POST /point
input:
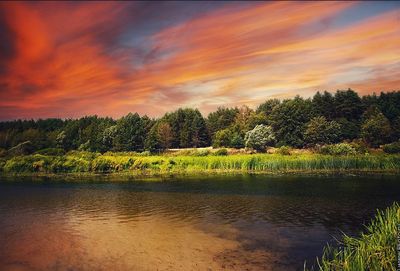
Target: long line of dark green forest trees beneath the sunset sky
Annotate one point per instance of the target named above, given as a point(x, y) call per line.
point(325, 118)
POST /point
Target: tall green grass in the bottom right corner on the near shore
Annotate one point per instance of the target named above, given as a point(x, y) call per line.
point(373, 250)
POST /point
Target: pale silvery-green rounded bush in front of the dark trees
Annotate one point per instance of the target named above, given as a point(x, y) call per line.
point(260, 138)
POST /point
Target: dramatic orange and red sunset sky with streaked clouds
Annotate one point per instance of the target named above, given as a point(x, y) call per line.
point(71, 59)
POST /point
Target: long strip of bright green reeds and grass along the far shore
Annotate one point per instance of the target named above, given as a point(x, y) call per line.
point(86, 162)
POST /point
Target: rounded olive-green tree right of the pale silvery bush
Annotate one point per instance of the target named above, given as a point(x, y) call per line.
point(321, 131)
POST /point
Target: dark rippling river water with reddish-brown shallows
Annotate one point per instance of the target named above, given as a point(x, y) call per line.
point(194, 223)
